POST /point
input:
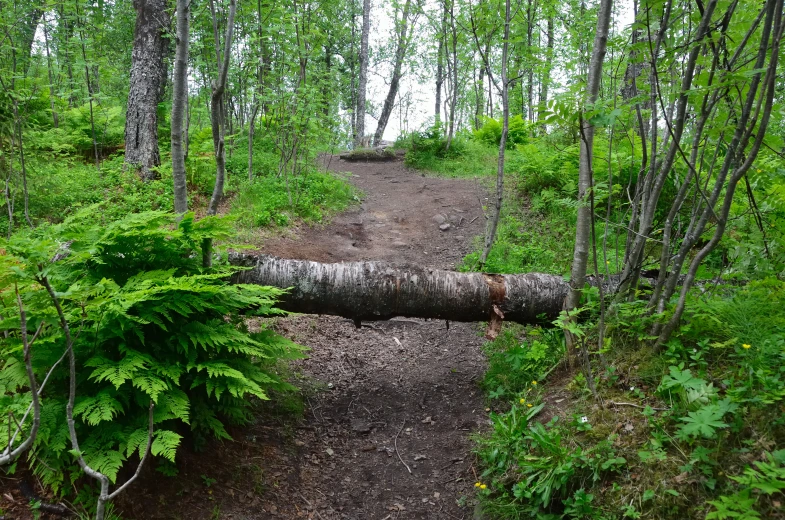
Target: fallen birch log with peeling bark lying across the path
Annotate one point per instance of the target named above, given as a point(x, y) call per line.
point(377, 291)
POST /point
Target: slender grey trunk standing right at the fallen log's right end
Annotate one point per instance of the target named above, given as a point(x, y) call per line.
point(583, 226)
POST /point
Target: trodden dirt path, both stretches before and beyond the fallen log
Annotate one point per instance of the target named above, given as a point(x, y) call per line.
point(407, 379)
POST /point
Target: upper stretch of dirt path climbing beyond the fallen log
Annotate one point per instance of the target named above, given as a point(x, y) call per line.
point(399, 220)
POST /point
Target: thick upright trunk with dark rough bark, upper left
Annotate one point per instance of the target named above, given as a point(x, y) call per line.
point(147, 76)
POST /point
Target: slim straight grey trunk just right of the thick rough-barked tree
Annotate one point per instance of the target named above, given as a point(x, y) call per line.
point(179, 98)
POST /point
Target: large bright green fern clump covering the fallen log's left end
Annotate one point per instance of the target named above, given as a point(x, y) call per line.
point(149, 325)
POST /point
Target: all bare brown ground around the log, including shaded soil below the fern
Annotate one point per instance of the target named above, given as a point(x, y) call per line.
point(389, 408)
